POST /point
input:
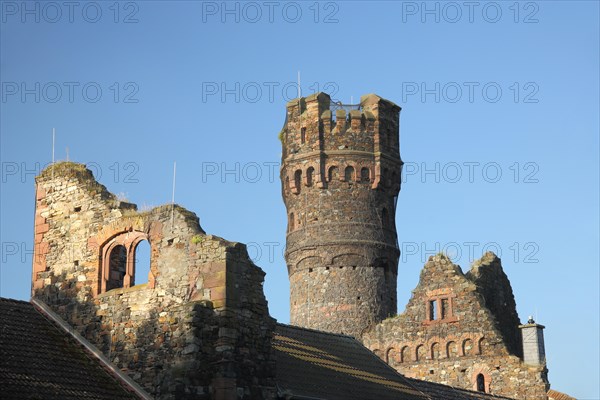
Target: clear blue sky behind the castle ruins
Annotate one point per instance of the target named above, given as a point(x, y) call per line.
point(499, 130)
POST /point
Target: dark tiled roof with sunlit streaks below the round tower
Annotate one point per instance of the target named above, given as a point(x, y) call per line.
point(319, 365)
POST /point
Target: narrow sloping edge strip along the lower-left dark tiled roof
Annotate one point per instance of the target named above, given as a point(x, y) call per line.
point(43, 309)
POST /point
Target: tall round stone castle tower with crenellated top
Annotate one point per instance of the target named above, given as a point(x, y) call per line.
point(340, 178)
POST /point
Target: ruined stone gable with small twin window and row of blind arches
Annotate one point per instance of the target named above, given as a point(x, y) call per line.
point(448, 335)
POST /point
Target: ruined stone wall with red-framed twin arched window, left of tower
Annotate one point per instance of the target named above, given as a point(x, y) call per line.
point(198, 329)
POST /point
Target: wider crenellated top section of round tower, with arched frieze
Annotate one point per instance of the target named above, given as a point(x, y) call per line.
point(325, 142)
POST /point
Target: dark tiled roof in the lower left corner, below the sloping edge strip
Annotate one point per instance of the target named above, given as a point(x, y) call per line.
point(38, 361)
